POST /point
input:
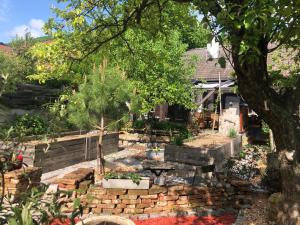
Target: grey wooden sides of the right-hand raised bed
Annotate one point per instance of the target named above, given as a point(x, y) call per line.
point(203, 156)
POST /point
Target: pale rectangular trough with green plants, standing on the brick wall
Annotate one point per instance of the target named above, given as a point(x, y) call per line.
point(125, 180)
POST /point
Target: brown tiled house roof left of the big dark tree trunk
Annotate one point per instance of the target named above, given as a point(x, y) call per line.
point(209, 69)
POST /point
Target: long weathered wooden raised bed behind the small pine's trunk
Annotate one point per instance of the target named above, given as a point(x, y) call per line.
point(67, 151)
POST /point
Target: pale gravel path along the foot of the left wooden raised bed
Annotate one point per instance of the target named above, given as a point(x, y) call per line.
point(48, 177)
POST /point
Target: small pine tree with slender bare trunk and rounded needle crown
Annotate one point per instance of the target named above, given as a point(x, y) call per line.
point(105, 93)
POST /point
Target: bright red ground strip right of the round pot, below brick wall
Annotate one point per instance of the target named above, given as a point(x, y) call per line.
point(189, 220)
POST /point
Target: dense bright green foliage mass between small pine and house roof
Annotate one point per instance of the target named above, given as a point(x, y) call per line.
point(156, 68)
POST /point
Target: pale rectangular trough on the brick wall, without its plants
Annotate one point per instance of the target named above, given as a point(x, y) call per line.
point(126, 183)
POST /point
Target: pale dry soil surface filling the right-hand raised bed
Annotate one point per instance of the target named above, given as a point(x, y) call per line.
point(208, 141)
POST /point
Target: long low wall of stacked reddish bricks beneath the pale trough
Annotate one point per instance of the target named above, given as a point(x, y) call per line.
point(158, 199)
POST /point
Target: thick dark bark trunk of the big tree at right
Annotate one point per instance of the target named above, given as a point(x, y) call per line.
point(280, 112)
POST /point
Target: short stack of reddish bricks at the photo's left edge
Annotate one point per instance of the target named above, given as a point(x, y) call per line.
point(21, 180)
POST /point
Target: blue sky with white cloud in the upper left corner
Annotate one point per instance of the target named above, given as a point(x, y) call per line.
point(17, 16)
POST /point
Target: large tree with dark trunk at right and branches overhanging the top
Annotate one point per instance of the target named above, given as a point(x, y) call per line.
point(250, 30)
